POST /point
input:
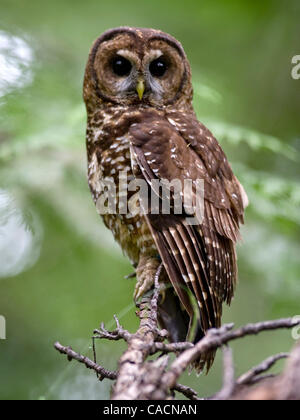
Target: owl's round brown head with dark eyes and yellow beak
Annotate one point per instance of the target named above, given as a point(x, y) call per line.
point(137, 66)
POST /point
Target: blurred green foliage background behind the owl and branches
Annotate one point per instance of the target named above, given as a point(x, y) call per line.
point(60, 272)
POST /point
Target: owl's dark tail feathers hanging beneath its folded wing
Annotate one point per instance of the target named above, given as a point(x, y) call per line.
point(176, 321)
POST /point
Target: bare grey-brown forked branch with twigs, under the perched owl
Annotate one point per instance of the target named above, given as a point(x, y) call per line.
point(138, 377)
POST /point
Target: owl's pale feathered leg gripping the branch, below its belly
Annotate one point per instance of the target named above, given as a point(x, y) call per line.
point(145, 274)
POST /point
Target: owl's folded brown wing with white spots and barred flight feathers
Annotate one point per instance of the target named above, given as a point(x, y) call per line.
point(200, 258)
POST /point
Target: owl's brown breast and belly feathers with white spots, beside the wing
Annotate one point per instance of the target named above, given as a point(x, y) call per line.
point(108, 150)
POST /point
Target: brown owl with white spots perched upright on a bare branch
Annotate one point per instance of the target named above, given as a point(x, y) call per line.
point(140, 122)
